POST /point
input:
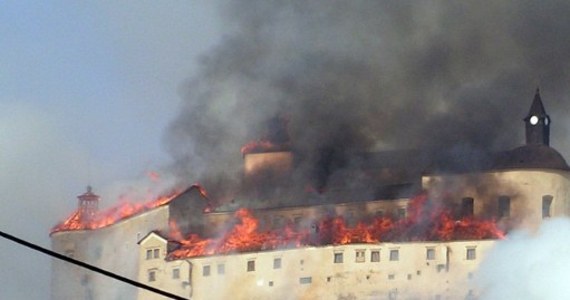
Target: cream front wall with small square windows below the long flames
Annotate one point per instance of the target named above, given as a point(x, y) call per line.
point(419, 270)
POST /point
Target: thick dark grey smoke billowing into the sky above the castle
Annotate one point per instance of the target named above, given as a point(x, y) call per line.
point(372, 75)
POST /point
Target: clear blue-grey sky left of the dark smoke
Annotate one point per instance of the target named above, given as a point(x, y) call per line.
point(88, 88)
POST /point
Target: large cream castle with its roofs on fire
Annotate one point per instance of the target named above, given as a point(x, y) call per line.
point(388, 225)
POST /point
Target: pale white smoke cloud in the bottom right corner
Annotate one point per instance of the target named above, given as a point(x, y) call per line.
point(529, 266)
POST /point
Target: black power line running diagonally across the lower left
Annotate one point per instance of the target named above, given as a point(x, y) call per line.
point(89, 267)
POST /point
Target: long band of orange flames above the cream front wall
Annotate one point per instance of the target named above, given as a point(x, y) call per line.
point(423, 223)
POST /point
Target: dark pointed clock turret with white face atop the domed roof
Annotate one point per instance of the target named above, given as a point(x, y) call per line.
point(537, 123)
